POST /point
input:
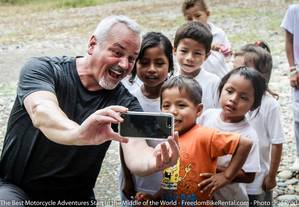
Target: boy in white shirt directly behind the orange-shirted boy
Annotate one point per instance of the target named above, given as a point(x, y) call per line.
point(192, 44)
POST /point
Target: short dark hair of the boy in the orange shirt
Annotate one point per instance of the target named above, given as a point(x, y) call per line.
point(184, 83)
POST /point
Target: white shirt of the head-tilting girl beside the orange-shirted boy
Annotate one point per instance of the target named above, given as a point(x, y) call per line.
point(234, 191)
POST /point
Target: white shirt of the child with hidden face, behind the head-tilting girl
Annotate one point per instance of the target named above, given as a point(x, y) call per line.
point(267, 124)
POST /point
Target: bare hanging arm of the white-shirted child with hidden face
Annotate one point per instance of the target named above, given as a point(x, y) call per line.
point(270, 179)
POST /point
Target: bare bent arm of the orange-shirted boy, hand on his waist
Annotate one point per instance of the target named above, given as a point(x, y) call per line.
point(216, 181)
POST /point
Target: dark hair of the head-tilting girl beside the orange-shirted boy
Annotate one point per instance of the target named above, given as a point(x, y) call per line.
point(257, 80)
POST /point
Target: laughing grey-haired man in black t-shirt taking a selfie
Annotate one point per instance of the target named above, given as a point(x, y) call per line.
point(60, 126)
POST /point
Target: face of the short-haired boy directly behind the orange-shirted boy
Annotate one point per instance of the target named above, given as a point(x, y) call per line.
point(190, 55)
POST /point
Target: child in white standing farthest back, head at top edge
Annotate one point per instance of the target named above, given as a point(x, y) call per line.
point(197, 10)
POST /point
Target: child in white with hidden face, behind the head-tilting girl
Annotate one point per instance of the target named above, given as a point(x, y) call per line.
point(266, 123)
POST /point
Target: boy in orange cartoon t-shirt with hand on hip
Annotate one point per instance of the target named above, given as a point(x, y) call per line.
point(199, 148)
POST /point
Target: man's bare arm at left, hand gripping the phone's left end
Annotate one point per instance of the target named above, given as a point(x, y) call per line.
point(46, 115)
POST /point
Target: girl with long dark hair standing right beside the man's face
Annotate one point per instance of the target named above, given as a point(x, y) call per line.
point(153, 66)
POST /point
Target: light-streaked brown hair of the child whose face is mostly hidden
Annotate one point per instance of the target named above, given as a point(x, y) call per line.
point(257, 55)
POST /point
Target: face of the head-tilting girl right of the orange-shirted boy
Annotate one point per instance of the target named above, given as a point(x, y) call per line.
point(237, 98)
